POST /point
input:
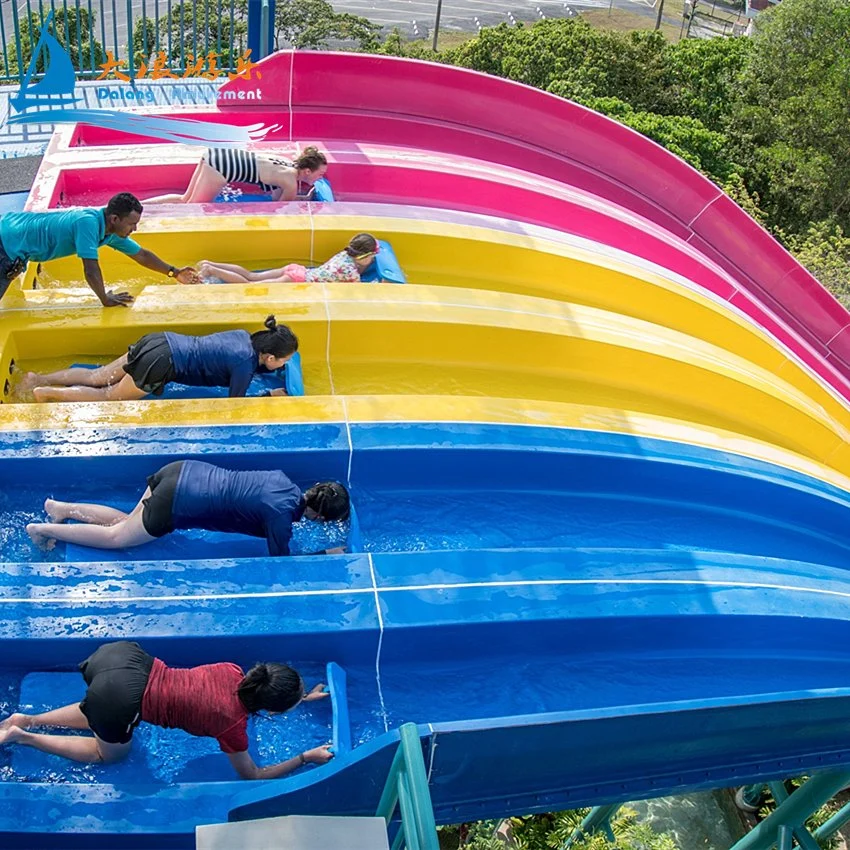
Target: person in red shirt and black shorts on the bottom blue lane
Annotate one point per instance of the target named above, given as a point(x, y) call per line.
point(127, 686)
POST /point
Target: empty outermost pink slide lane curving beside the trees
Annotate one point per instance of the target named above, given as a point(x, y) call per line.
point(346, 96)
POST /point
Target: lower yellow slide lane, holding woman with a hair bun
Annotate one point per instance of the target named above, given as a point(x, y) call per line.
point(402, 340)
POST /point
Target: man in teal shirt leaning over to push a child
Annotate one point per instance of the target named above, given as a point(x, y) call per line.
point(39, 237)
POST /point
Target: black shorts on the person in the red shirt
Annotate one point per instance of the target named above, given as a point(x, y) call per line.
point(116, 675)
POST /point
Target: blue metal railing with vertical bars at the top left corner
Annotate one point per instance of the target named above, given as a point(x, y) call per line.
point(95, 33)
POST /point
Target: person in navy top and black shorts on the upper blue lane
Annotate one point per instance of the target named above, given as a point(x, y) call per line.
point(193, 494)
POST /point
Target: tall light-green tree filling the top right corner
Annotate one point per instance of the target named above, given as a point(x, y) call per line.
point(792, 113)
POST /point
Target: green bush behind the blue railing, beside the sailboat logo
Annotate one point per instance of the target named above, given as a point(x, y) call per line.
point(73, 28)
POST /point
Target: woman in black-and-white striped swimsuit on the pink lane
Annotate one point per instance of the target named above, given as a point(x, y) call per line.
point(221, 166)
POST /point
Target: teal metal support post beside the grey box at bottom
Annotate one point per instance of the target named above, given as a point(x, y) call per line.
point(407, 789)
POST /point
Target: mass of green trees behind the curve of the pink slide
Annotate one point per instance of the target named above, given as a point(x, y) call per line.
point(767, 117)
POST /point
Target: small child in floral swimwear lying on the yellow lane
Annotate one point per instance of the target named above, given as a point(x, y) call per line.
point(344, 267)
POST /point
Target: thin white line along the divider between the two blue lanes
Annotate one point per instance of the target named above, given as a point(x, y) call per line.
point(282, 594)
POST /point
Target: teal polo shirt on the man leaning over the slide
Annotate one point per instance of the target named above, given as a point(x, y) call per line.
point(44, 236)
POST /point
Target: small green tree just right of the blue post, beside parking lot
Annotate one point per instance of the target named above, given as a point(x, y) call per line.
point(313, 23)
